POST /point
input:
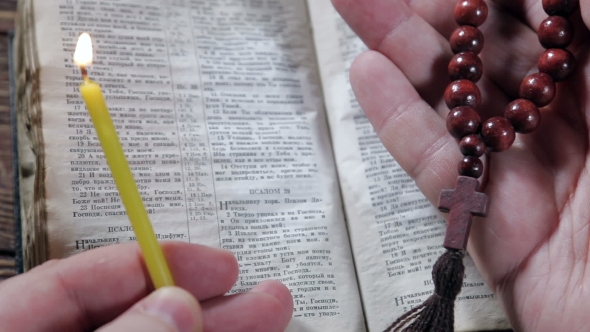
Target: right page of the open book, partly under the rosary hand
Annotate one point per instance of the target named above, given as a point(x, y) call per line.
point(396, 233)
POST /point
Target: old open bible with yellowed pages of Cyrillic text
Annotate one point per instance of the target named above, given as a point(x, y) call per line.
point(242, 132)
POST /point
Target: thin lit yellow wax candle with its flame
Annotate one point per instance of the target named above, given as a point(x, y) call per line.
point(152, 252)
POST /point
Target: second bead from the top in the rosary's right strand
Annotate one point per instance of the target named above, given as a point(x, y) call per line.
point(555, 32)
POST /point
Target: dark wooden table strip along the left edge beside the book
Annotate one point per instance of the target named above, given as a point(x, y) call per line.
point(7, 267)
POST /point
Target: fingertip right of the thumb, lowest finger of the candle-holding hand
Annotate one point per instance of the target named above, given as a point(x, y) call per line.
point(268, 307)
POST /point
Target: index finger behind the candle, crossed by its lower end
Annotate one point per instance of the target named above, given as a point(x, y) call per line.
point(92, 288)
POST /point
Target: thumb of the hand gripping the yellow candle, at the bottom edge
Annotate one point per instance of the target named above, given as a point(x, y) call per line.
point(168, 309)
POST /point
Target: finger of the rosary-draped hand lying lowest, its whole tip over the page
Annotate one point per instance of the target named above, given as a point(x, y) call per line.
point(415, 136)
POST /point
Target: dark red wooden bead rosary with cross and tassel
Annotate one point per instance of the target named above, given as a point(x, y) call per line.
point(495, 134)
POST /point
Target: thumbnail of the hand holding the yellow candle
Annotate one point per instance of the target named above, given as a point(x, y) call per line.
point(174, 306)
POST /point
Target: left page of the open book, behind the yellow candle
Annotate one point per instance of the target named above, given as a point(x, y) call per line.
point(219, 108)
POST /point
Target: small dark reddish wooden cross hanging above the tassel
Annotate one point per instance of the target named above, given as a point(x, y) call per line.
point(463, 202)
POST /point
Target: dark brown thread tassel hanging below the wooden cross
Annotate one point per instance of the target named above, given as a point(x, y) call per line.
point(436, 314)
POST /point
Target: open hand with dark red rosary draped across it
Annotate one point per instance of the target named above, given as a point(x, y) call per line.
point(533, 248)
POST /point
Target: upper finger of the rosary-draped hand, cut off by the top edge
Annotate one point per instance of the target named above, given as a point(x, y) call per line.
point(420, 52)
